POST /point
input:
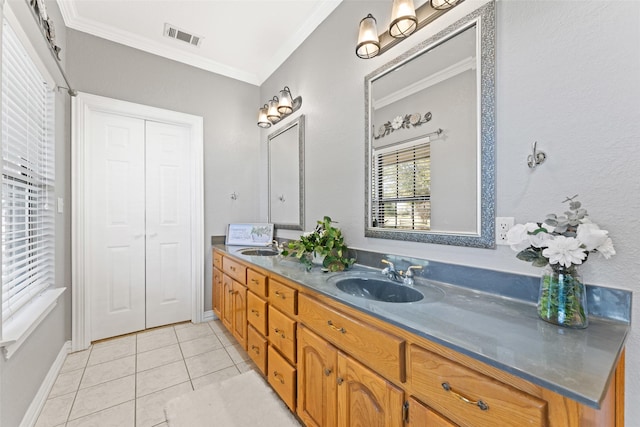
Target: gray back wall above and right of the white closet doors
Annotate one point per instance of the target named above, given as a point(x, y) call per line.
point(229, 108)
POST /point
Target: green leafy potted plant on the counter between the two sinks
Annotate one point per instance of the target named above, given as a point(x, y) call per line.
point(326, 242)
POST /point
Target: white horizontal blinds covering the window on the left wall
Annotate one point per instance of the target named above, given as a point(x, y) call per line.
point(27, 178)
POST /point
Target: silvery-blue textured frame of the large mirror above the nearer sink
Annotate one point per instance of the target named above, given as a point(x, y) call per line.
point(484, 18)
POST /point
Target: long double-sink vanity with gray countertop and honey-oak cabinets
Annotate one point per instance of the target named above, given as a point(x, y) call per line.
point(455, 357)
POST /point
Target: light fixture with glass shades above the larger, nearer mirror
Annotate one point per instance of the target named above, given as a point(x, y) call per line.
point(405, 20)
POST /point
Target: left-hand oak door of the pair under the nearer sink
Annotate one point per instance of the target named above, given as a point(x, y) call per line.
point(317, 393)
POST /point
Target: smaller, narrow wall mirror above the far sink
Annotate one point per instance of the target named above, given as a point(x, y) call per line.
point(286, 176)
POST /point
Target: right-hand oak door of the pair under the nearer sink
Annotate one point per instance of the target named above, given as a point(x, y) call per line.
point(365, 399)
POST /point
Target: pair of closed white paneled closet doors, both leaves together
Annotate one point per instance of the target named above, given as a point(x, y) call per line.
point(139, 217)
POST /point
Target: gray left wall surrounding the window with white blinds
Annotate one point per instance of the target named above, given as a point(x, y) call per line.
point(22, 375)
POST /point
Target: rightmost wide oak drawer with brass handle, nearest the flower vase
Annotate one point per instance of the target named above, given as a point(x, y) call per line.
point(468, 397)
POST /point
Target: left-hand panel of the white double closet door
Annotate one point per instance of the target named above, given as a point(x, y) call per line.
point(115, 267)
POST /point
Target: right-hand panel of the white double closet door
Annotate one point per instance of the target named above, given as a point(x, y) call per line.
point(168, 224)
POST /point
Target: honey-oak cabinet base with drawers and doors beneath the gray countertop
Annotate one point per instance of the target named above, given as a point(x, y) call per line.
point(337, 366)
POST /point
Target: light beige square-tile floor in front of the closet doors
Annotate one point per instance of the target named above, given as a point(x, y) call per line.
point(127, 381)
